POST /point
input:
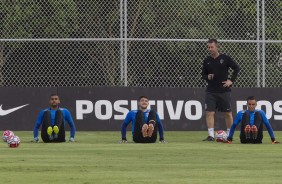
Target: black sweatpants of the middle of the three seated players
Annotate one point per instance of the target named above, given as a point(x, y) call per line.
point(140, 121)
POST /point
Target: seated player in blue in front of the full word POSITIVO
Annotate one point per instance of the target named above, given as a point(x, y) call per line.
point(145, 124)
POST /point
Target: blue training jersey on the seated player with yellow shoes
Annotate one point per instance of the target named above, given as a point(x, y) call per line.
point(66, 115)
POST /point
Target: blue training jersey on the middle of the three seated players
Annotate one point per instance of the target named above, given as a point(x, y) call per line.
point(131, 118)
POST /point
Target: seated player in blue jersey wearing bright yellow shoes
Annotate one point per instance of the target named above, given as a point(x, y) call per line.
point(53, 121)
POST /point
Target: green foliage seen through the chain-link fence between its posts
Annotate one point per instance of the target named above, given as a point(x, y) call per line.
point(167, 19)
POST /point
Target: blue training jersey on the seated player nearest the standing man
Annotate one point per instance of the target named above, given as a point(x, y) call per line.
point(239, 117)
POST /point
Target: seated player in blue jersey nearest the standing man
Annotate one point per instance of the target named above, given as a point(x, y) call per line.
point(252, 121)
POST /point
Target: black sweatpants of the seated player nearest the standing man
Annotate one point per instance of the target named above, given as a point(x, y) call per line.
point(259, 124)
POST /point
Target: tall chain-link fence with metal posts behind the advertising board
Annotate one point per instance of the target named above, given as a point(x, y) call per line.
point(156, 43)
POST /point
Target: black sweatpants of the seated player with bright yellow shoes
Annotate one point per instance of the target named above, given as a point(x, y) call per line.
point(59, 121)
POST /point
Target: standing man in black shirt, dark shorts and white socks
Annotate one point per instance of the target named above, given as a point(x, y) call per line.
point(218, 92)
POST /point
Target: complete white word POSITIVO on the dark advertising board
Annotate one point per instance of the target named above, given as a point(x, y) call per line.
point(105, 109)
